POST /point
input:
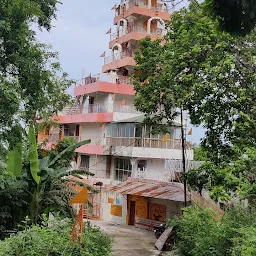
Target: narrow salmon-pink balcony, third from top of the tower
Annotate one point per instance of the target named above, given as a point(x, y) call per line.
point(118, 60)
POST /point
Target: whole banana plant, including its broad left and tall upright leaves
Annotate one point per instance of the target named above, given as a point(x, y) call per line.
point(45, 184)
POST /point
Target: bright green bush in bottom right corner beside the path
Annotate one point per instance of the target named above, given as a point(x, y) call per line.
point(201, 234)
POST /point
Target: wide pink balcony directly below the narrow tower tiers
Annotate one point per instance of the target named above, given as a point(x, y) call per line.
point(104, 83)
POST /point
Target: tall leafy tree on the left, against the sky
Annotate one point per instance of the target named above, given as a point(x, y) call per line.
point(32, 82)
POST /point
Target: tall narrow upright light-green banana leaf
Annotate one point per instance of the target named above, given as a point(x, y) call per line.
point(34, 163)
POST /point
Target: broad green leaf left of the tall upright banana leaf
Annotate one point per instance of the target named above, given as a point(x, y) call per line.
point(14, 160)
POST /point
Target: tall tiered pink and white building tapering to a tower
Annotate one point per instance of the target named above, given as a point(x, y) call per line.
point(121, 146)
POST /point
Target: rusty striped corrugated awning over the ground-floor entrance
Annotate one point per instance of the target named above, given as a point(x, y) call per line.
point(151, 188)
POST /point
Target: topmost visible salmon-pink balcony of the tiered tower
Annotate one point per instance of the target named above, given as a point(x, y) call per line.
point(140, 8)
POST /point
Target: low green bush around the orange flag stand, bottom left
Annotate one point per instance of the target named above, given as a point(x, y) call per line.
point(55, 241)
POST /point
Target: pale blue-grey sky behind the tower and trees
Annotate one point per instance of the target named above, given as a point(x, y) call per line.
point(79, 36)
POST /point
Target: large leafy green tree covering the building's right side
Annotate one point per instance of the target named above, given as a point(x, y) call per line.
point(203, 70)
